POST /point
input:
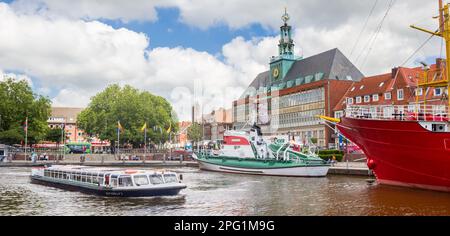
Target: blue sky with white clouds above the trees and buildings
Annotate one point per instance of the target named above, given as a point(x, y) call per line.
point(196, 51)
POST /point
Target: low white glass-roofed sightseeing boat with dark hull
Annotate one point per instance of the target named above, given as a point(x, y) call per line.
point(110, 182)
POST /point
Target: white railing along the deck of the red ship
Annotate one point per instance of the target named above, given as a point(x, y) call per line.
point(400, 112)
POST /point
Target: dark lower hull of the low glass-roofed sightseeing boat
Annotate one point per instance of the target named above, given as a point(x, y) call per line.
point(165, 191)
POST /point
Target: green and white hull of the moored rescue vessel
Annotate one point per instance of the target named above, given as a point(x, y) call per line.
point(293, 171)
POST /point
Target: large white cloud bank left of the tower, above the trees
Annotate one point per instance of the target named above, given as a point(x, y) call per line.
point(77, 59)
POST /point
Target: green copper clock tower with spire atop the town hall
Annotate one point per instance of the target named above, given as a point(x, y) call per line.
point(280, 65)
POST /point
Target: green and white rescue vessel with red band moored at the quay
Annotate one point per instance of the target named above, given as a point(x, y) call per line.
point(248, 153)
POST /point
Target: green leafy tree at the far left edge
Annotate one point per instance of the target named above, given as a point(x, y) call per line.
point(18, 102)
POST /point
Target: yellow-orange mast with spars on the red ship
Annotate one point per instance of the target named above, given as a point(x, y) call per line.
point(444, 32)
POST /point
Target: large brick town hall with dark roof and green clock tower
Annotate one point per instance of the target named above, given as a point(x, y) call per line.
point(287, 98)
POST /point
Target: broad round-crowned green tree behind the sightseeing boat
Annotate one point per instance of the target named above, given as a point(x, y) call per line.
point(132, 108)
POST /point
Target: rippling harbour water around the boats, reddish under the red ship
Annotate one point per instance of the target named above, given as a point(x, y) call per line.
point(210, 193)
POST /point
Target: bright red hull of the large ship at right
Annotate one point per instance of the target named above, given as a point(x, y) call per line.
point(402, 153)
